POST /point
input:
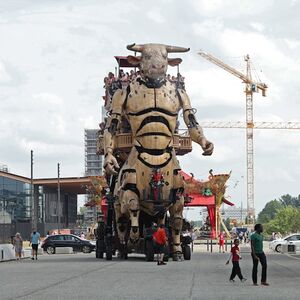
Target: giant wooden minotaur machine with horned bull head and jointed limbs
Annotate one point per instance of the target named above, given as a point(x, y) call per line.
point(148, 184)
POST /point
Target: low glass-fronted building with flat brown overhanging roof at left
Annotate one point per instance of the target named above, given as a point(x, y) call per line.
point(23, 204)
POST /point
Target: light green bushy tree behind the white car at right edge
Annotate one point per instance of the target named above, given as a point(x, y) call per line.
point(287, 220)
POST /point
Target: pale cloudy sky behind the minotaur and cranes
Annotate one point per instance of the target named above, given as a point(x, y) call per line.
point(55, 54)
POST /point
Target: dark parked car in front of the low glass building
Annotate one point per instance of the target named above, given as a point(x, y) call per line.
point(66, 240)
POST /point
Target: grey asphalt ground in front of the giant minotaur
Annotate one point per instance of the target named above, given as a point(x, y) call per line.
point(81, 276)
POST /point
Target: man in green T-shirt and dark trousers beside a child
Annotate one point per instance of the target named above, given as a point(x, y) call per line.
point(258, 254)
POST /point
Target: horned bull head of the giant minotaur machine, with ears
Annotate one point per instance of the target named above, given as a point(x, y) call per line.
point(154, 60)
